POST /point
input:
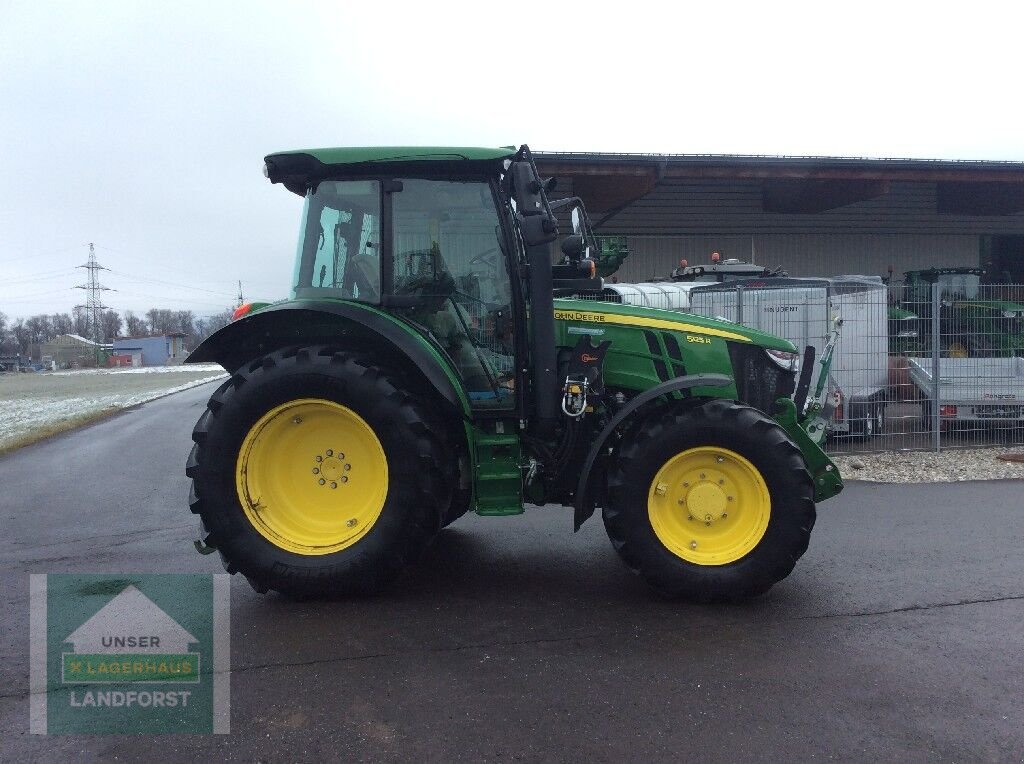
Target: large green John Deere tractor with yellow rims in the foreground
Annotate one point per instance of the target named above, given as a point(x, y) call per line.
point(423, 368)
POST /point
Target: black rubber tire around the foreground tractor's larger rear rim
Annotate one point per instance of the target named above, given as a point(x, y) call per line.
point(421, 473)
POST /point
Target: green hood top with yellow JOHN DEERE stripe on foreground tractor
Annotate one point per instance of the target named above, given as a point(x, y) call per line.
point(612, 313)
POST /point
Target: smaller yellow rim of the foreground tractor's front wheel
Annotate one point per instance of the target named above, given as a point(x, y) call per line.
point(709, 506)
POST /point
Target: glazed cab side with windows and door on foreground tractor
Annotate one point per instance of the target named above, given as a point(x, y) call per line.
point(439, 264)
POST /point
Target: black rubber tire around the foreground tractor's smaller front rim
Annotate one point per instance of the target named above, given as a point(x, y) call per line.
point(746, 432)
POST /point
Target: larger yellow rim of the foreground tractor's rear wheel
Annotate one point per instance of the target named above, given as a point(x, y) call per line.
point(312, 477)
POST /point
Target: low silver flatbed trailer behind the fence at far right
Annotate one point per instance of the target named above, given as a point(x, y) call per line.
point(976, 392)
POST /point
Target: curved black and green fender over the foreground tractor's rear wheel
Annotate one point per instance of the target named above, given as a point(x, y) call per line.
point(296, 323)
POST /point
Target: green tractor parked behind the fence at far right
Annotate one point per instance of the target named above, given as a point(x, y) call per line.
point(970, 324)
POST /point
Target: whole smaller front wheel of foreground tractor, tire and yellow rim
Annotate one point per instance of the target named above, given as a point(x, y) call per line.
point(713, 503)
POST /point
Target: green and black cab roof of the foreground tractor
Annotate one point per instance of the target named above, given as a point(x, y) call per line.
point(296, 169)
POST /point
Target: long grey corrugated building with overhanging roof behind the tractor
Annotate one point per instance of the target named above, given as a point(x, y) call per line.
point(815, 217)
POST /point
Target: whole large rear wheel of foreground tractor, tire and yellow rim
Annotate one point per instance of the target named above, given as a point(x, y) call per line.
point(315, 474)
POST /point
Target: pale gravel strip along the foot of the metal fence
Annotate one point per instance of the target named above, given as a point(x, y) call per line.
point(927, 466)
